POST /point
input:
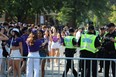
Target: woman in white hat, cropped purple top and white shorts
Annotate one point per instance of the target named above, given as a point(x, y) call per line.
point(16, 51)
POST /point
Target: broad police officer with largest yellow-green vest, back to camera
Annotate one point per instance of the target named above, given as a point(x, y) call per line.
point(88, 49)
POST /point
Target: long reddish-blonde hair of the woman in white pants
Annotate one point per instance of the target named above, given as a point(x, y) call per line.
point(33, 36)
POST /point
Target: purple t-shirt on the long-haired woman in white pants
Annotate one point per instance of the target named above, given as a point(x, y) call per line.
point(35, 47)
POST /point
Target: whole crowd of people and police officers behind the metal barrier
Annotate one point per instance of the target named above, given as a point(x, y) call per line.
point(34, 41)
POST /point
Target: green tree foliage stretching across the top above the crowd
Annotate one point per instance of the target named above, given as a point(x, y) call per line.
point(74, 11)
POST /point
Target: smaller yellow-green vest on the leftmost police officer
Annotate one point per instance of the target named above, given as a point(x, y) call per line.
point(68, 42)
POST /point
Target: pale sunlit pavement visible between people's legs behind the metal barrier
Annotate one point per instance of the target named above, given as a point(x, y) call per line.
point(56, 71)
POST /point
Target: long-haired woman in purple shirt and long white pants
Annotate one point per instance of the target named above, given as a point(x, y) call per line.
point(33, 65)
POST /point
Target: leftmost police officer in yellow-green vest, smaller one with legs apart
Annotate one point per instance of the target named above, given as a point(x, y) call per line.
point(70, 50)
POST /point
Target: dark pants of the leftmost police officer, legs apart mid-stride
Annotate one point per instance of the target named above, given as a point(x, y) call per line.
point(70, 63)
